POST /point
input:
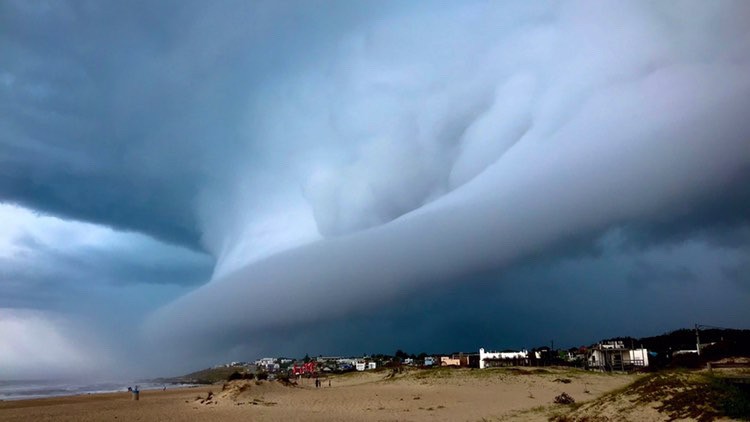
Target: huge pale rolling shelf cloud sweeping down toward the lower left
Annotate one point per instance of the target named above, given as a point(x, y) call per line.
point(430, 155)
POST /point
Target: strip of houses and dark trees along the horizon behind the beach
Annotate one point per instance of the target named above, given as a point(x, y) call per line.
point(613, 355)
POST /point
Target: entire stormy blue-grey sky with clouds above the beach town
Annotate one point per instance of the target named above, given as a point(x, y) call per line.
point(187, 183)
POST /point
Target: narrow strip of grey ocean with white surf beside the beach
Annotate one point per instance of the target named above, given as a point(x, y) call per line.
point(19, 390)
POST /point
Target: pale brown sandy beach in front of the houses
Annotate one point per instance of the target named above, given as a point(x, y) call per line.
point(417, 395)
